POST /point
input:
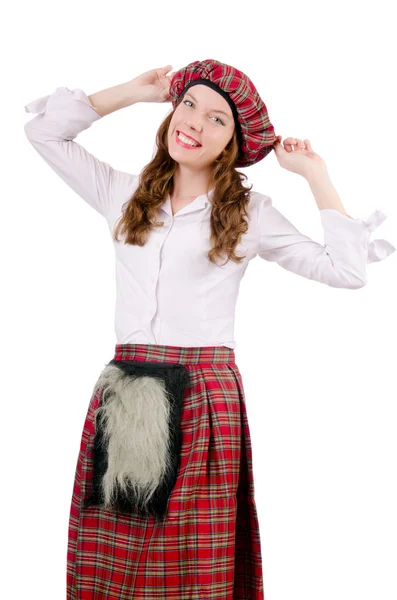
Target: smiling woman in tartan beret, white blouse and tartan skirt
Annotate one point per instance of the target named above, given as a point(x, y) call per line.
point(163, 503)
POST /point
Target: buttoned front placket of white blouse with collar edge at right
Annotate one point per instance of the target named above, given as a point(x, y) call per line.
point(197, 204)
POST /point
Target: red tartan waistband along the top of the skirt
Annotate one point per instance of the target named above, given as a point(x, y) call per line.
point(175, 354)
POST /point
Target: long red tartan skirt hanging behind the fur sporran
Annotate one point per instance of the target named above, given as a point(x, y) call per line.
point(207, 546)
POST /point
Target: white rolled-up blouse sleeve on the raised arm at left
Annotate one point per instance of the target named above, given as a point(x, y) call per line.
point(61, 117)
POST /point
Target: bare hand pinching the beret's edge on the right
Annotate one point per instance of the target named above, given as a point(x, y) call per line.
point(301, 159)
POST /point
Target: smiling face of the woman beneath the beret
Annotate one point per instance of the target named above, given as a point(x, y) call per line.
point(207, 118)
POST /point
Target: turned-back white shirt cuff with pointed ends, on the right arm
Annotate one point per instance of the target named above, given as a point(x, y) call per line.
point(342, 228)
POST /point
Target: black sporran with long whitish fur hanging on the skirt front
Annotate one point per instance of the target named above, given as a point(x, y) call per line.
point(137, 441)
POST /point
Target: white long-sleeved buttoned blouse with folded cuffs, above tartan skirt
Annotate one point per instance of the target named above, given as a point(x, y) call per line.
point(167, 291)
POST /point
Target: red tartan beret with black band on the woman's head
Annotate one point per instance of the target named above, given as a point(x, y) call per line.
point(254, 131)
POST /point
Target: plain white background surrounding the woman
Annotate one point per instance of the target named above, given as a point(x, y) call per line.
point(318, 363)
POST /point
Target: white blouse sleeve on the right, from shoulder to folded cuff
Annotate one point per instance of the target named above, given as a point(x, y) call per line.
point(340, 262)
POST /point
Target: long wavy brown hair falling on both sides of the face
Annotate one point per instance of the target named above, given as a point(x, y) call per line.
point(229, 201)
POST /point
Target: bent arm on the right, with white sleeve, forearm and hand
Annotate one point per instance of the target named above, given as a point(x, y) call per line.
point(342, 260)
